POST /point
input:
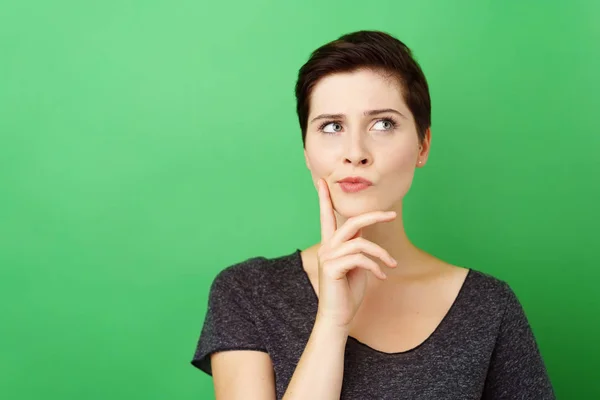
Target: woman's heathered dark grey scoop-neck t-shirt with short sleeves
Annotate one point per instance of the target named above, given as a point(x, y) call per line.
point(484, 347)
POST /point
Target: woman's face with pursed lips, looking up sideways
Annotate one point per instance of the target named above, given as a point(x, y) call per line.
point(382, 147)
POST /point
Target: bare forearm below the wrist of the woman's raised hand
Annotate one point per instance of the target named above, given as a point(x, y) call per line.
point(320, 371)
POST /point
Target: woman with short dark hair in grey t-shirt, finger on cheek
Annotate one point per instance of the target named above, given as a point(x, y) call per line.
point(365, 314)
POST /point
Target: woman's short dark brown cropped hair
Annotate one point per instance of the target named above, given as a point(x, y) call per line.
point(363, 49)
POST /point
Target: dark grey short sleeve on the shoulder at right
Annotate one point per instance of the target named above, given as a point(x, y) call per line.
point(517, 369)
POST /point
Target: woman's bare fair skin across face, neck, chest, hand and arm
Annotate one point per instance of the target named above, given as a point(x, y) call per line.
point(390, 314)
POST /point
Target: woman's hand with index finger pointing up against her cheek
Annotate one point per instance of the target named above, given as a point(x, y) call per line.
point(343, 267)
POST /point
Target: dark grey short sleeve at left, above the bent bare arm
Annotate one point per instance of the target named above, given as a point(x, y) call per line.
point(230, 322)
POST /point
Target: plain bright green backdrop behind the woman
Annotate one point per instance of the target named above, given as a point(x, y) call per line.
point(146, 145)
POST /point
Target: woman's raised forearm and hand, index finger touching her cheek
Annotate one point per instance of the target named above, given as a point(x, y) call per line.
point(319, 373)
